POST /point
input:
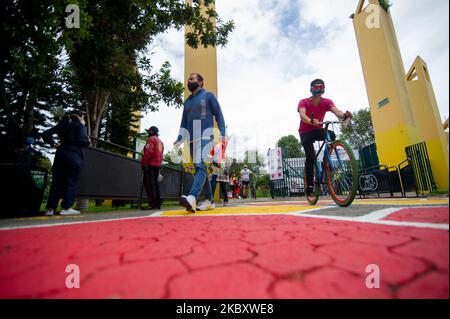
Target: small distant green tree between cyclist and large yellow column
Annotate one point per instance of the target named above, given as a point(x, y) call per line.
point(360, 134)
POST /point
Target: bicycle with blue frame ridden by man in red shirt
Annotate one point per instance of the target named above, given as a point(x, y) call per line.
point(340, 170)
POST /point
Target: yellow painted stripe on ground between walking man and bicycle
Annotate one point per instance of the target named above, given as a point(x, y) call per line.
point(244, 210)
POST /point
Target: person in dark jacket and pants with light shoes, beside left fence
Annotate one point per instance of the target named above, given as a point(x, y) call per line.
point(68, 162)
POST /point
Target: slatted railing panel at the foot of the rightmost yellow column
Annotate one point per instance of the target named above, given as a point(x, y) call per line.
point(421, 167)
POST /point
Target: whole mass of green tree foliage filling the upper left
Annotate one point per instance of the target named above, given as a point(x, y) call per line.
point(103, 67)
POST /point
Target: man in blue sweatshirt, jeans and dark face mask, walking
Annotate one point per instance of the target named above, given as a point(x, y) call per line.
point(200, 110)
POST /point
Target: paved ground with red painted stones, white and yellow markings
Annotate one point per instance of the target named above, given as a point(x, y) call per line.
point(256, 250)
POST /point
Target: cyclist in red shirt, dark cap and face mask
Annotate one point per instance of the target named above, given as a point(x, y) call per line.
point(312, 113)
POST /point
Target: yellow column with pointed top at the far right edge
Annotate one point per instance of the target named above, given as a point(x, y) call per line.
point(428, 120)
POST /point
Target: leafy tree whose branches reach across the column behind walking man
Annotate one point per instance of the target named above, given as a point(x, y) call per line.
point(119, 37)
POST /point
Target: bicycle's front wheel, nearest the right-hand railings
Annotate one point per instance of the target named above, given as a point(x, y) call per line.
point(342, 174)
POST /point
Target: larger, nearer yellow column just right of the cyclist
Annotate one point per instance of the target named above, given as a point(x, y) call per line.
point(387, 90)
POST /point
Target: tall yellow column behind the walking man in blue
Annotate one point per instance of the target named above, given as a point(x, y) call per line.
point(203, 61)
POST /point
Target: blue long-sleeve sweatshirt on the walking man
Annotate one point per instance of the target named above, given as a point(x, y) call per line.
point(202, 107)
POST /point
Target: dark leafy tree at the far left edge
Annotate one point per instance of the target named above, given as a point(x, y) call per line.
point(30, 72)
